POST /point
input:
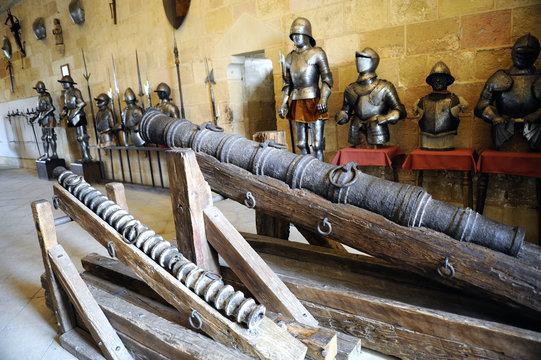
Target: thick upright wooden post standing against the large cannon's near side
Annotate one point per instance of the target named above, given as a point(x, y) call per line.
point(190, 195)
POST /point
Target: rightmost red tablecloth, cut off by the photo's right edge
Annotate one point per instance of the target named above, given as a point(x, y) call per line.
point(499, 162)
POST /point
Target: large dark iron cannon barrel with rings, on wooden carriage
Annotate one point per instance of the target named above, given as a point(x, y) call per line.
point(402, 203)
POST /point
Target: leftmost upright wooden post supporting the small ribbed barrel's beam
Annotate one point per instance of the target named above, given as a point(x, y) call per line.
point(44, 223)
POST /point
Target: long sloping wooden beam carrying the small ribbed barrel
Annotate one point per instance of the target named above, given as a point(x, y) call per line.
point(261, 343)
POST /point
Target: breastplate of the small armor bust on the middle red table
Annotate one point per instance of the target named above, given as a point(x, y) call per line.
point(437, 118)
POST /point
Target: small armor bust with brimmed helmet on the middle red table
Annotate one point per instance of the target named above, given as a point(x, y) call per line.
point(439, 111)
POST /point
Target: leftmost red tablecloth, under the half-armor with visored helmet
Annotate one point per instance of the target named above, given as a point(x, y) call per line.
point(367, 157)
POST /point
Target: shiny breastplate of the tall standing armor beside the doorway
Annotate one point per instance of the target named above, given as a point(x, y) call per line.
point(304, 75)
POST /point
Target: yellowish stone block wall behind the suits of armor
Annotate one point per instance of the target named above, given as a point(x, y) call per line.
point(474, 38)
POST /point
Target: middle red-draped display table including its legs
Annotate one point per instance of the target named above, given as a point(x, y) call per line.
point(461, 159)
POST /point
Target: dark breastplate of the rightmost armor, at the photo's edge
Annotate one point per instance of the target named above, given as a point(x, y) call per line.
point(519, 100)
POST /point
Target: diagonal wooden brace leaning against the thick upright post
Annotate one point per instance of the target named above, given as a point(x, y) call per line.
point(251, 269)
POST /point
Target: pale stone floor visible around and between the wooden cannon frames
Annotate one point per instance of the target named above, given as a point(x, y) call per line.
point(27, 327)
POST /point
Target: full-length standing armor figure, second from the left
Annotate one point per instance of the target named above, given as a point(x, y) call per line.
point(75, 115)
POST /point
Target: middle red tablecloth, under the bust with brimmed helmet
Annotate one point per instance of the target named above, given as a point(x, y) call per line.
point(458, 159)
